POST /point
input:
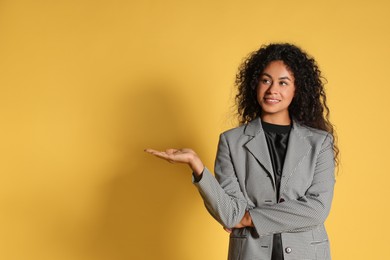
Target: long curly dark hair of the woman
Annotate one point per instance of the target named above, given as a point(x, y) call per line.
point(308, 106)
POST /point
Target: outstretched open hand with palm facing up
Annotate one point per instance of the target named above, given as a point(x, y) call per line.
point(185, 155)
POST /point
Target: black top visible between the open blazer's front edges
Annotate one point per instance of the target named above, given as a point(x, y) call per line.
point(277, 140)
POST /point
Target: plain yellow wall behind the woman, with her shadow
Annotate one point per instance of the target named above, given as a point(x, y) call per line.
point(86, 85)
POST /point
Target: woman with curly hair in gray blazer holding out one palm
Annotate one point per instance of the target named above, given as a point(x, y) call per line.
point(274, 174)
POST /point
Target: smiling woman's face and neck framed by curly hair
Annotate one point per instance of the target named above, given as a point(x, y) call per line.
point(275, 92)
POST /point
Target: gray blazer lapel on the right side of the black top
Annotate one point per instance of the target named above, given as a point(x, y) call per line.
point(297, 149)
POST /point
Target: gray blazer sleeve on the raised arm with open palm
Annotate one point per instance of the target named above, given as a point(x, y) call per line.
point(223, 197)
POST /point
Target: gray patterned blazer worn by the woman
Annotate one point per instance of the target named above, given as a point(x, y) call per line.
point(244, 181)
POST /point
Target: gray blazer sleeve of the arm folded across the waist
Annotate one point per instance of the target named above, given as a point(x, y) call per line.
point(307, 211)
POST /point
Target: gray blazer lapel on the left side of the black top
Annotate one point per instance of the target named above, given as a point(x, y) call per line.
point(258, 147)
